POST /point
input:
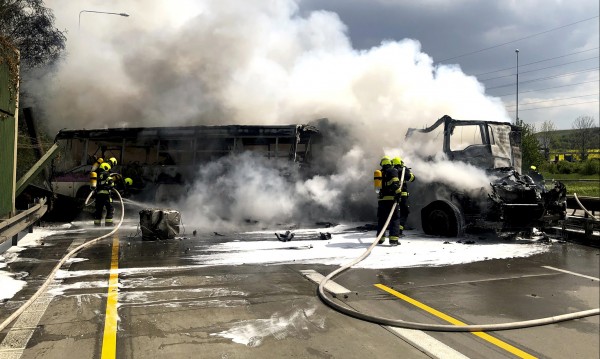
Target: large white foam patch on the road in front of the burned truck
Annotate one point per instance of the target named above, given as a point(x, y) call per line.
point(415, 250)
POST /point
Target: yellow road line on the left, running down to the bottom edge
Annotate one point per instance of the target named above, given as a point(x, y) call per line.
point(109, 340)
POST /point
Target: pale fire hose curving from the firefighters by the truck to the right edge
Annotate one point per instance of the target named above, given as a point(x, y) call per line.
point(434, 327)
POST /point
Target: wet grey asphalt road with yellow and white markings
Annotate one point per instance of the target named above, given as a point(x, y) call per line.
point(129, 298)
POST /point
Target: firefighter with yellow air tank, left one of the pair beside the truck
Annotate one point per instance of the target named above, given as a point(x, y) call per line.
point(390, 192)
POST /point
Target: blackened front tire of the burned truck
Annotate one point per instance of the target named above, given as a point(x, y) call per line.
point(442, 218)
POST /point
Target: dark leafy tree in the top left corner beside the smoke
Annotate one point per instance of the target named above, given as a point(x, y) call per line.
point(29, 26)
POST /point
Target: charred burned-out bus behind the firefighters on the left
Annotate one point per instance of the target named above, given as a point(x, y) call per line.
point(161, 159)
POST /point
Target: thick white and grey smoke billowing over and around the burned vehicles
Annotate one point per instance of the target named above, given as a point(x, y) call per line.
point(221, 62)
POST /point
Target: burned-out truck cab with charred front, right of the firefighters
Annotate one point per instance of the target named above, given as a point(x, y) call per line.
point(512, 204)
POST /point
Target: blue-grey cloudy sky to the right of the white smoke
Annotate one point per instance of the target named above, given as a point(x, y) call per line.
point(557, 42)
